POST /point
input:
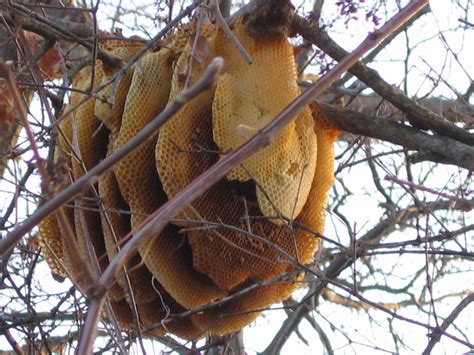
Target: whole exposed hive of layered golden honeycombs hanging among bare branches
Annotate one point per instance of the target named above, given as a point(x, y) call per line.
point(236, 234)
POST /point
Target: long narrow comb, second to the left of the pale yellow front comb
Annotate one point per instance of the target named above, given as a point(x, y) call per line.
point(147, 96)
